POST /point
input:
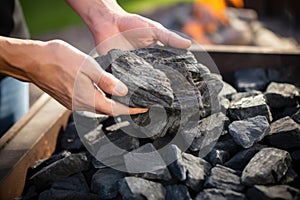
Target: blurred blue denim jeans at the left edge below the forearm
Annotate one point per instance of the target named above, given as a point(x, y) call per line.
point(14, 102)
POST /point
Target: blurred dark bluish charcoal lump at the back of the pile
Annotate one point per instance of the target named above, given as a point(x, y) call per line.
point(254, 79)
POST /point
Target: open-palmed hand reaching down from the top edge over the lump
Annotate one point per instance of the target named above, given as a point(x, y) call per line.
point(112, 27)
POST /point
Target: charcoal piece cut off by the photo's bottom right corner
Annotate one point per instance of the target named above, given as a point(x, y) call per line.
point(283, 192)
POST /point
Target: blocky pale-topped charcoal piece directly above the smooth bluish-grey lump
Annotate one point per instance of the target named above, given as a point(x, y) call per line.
point(249, 107)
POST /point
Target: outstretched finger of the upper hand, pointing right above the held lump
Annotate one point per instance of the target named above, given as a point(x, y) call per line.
point(172, 39)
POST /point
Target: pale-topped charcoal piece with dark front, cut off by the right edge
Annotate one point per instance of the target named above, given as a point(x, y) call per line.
point(280, 95)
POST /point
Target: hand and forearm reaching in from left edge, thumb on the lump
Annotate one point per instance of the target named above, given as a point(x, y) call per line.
point(65, 73)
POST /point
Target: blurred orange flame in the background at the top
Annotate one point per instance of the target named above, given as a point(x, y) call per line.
point(207, 16)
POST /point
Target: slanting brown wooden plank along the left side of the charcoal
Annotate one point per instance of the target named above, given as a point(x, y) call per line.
point(35, 139)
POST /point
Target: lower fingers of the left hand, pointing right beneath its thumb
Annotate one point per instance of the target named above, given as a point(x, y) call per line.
point(110, 107)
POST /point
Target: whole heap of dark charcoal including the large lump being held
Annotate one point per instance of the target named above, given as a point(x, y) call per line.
point(200, 139)
